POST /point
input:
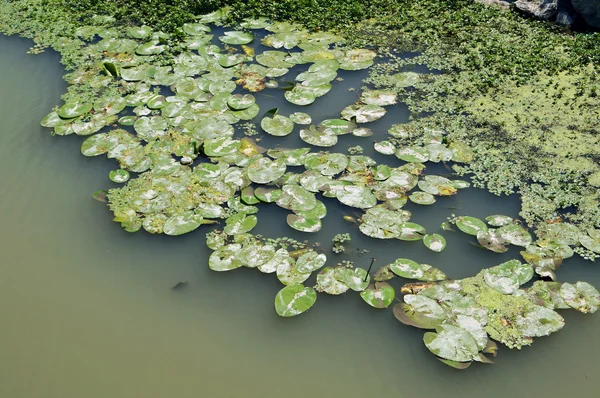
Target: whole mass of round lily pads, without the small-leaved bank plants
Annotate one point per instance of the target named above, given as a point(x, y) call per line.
point(167, 108)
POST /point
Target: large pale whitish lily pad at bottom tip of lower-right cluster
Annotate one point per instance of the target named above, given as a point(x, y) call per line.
point(452, 343)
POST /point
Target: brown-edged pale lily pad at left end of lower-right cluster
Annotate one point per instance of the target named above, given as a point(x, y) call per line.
point(420, 311)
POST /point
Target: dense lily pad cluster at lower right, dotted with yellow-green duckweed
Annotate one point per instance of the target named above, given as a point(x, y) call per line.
point(468, 315)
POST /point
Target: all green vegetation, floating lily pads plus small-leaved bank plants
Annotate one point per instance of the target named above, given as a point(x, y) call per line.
point(511, 102)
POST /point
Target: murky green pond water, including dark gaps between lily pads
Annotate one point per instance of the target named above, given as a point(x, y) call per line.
point(87, 310)
